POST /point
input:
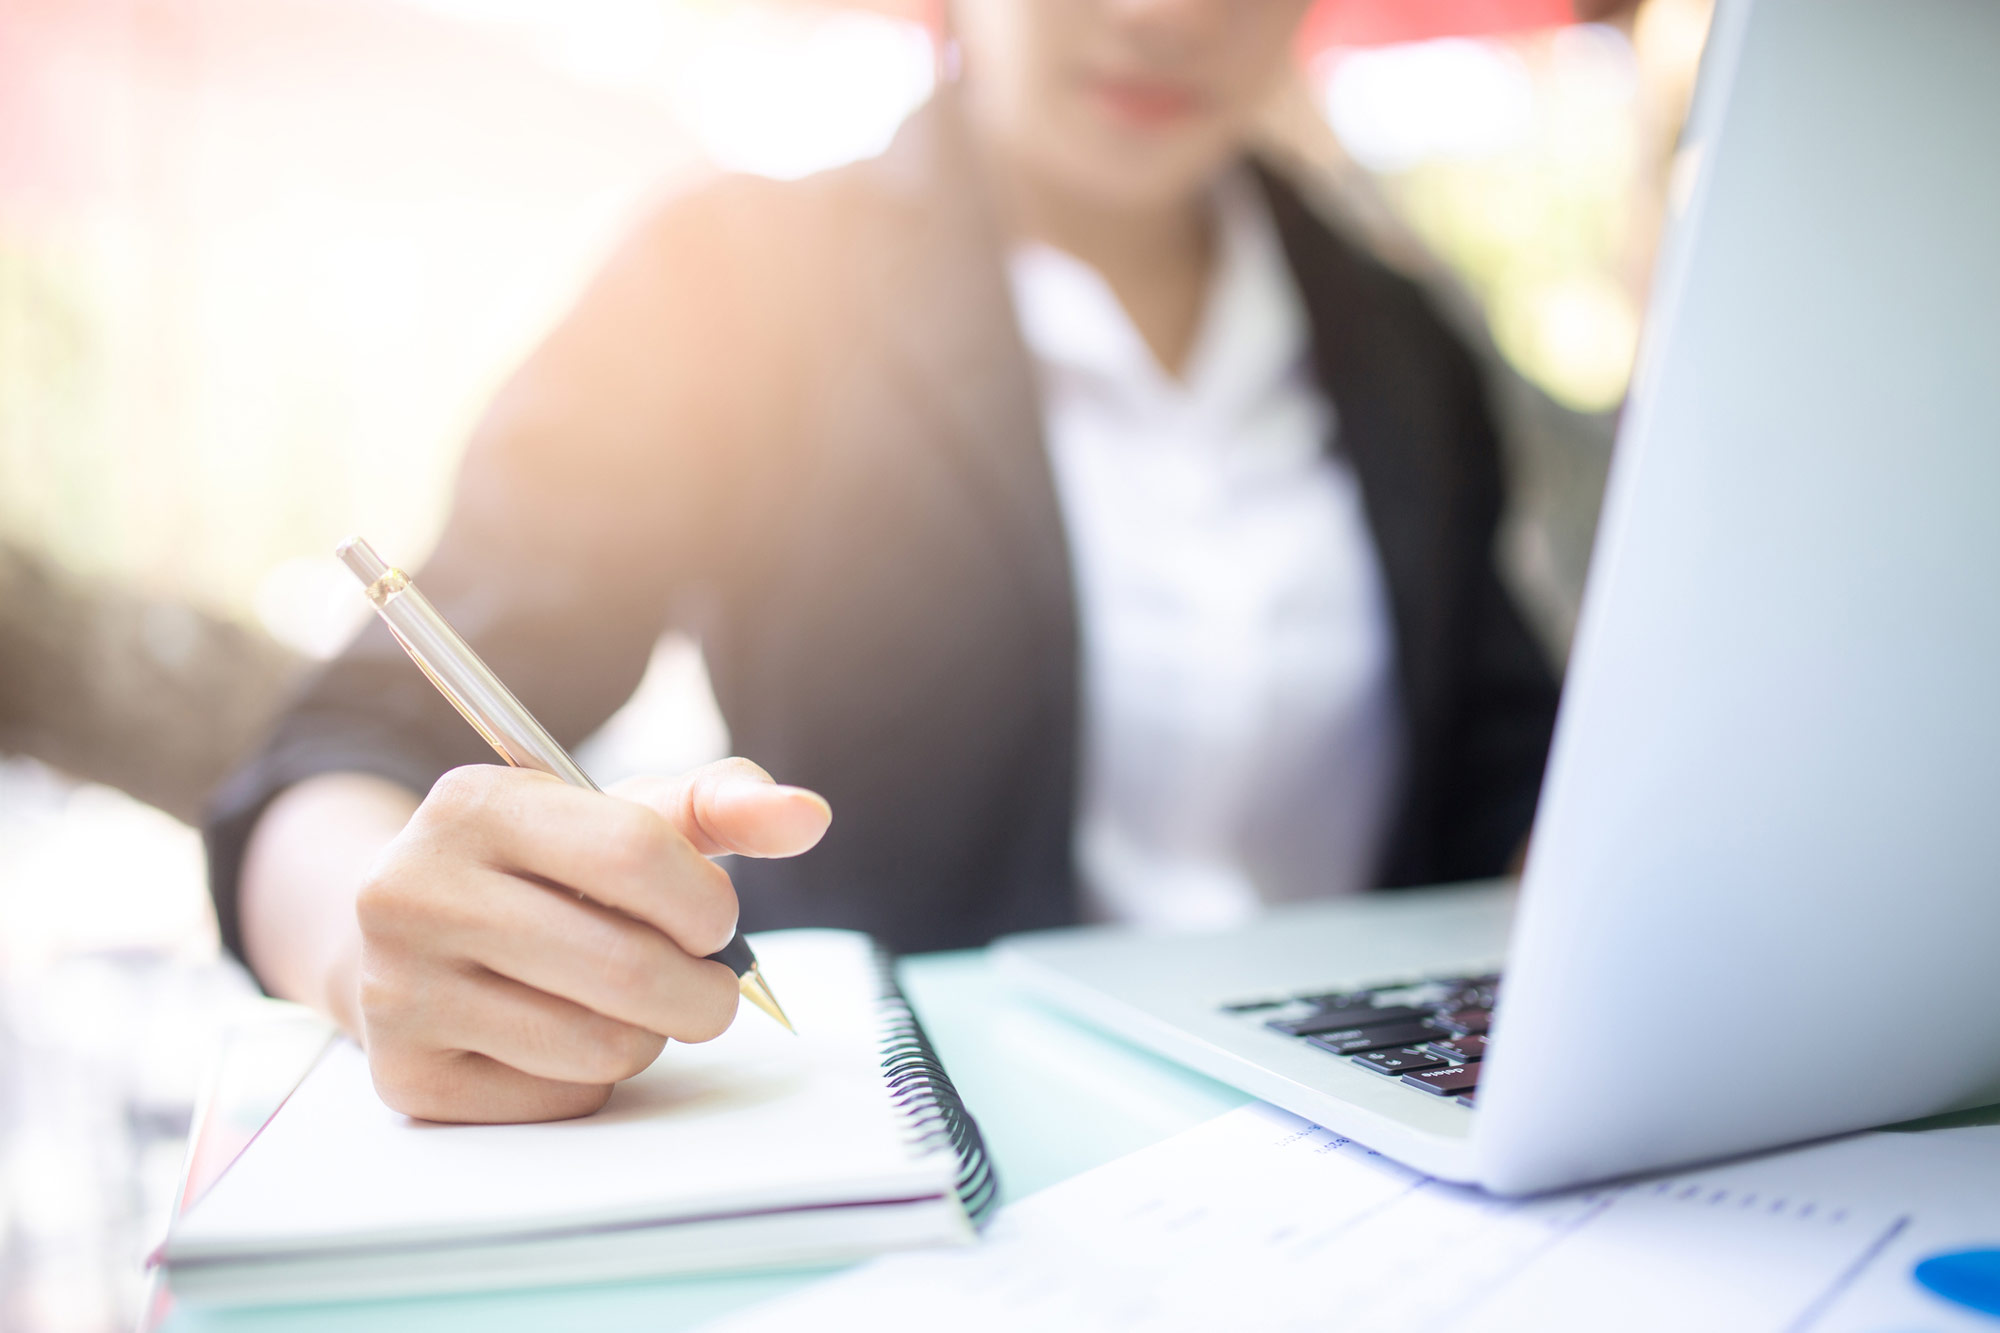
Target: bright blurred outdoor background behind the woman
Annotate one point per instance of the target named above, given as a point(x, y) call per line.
point(265, 261)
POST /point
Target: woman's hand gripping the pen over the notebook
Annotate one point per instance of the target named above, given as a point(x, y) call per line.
point(523, 946)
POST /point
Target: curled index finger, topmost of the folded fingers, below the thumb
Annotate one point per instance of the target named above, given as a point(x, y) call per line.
point(619, 854)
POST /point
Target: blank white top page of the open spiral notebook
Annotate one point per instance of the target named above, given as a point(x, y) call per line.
point(753, 1122)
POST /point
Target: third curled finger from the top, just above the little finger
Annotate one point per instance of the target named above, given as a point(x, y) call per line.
point(535, 1032)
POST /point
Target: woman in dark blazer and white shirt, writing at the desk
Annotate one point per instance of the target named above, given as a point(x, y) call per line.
point(1095, 529)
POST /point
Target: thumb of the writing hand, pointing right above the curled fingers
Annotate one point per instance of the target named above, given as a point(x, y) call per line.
point(735, 808)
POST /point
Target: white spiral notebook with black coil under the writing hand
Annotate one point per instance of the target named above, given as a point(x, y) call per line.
point(757, 1150)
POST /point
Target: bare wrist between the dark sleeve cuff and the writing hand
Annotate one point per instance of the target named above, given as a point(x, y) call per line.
point(307, 860)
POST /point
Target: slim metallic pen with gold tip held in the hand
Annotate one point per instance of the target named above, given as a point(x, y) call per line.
point(473, 688)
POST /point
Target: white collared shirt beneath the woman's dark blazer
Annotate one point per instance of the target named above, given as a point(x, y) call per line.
point(1241, 730)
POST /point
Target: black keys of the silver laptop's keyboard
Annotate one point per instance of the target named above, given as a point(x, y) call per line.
point(1427, 1034)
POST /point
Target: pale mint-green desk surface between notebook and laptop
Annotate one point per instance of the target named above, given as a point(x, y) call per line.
point(1053, 1100)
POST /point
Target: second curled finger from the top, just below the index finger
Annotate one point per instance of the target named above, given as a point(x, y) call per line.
point(599, 960)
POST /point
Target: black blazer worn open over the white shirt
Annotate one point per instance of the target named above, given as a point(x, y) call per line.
point(799, 421)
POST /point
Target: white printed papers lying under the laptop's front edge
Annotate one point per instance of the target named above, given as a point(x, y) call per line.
point(1261, 1220)
